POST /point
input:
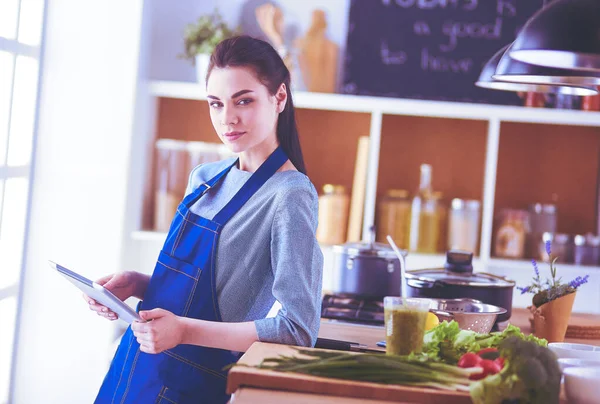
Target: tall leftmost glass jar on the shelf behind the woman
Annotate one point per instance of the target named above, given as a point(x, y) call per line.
point(170, 180)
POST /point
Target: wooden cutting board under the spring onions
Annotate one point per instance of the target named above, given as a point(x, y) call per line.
point(267, 379)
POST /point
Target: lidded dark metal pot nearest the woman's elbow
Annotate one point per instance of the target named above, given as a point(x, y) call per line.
point(367, 270)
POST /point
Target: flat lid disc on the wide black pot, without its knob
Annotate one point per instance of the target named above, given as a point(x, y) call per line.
point(443, 276)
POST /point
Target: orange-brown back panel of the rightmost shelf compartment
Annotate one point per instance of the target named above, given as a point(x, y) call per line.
point(561, 163)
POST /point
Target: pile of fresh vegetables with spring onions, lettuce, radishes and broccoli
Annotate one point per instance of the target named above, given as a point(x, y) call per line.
point(494, 368)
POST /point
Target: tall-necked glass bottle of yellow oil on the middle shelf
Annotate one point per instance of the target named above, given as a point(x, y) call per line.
point(424, 216)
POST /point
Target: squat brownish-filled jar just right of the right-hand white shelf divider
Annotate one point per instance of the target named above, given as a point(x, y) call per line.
point(511, 232)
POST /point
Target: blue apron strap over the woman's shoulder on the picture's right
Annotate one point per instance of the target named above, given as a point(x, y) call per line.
point(264, 172)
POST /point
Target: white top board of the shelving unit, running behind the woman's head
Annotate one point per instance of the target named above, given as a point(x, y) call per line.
point(395, 106)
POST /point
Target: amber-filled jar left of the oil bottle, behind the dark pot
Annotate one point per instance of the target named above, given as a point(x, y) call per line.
point(393, 217)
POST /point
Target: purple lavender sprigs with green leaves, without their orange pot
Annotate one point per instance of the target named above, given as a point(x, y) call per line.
point(551, 289)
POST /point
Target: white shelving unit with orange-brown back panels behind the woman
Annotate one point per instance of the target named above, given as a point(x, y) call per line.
point(483, 152)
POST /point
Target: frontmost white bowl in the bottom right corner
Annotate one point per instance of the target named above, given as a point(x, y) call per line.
point(581, 385)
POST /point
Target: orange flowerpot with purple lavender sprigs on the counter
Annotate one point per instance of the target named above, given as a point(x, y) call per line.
point(552, 301)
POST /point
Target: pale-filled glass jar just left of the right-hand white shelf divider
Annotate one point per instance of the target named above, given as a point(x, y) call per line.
point(463, 225)
